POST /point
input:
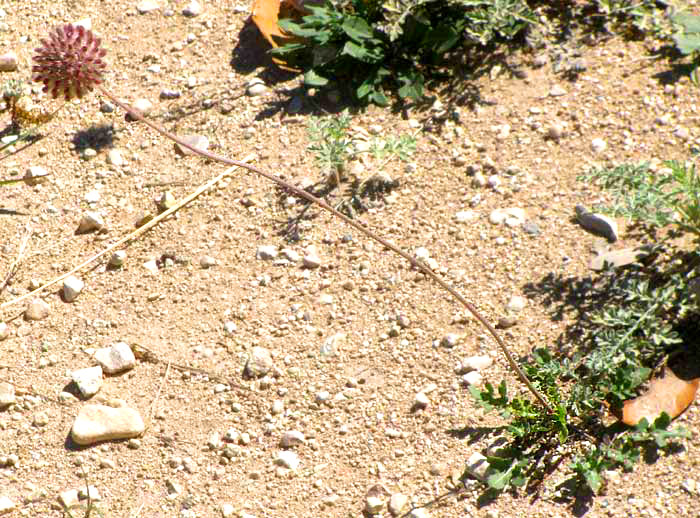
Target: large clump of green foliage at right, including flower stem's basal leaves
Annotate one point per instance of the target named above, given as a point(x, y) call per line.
point(650, 312)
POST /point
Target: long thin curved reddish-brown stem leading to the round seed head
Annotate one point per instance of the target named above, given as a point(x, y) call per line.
point(135, 114)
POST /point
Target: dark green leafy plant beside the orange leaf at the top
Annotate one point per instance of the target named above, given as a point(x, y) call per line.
point(396, 45)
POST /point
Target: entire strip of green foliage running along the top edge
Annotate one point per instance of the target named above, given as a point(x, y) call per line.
point(376, 48)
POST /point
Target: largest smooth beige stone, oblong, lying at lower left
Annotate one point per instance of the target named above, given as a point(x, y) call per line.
point(97, 423)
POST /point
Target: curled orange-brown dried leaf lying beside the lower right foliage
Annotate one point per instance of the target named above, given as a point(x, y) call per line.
point(667, 393)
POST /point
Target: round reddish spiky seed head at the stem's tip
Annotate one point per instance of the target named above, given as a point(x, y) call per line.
point(70, 62)
